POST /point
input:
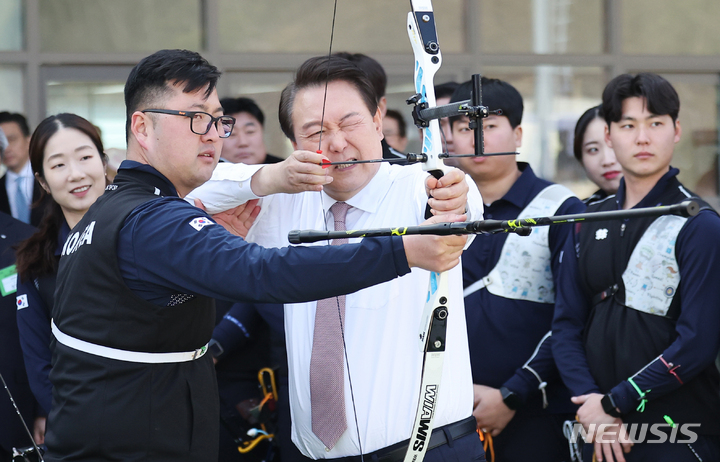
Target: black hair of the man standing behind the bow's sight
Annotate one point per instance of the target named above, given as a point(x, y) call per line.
point(497, 94)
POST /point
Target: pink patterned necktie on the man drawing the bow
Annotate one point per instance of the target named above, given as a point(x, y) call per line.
point(327, 378)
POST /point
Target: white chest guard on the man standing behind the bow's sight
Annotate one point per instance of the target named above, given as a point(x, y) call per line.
point(523, 271)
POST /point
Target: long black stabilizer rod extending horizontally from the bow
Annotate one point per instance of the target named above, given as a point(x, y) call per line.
point(520, 226)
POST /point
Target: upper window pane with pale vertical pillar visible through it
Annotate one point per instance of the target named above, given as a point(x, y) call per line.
point(541, 26)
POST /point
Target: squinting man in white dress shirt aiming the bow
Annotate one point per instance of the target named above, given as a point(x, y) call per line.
point(383, 369)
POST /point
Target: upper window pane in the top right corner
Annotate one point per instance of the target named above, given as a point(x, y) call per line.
point(666, 27)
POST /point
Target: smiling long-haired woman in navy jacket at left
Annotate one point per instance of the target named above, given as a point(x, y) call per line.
point(67, 157)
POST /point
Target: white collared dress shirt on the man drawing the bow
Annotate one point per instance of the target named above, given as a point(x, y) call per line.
point(381, 323)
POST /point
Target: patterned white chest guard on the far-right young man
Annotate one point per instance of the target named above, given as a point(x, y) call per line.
point(652, 276)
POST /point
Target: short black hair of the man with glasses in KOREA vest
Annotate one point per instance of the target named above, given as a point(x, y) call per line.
point(148, 81)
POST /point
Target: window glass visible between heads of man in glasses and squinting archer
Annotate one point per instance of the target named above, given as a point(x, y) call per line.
point(264, 88)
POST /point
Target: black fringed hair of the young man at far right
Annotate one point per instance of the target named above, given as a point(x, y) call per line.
point(660, 96)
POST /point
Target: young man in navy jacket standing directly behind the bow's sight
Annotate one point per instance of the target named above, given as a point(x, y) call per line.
point(509, 289)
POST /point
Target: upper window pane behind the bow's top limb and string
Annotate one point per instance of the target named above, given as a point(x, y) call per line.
point(368, 26)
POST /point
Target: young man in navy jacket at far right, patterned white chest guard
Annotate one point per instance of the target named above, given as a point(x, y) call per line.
point(636, 324)
